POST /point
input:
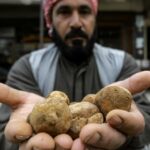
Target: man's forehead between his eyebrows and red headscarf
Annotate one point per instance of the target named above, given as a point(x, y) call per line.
point(73, 3)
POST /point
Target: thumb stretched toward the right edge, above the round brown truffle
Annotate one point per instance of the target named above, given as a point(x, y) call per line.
point(136, 83)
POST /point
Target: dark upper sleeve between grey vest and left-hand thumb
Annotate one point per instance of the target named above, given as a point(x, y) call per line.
point(21, 76)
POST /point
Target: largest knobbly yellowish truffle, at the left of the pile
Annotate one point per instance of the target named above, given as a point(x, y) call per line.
point(52, 116)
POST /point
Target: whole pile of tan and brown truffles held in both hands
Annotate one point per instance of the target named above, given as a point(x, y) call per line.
point(56, 115)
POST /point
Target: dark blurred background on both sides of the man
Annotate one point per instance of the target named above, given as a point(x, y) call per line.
point(123, 24)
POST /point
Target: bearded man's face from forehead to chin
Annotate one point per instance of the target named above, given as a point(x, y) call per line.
point(74, 21)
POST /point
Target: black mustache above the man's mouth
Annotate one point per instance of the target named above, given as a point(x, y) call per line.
point(76, 33)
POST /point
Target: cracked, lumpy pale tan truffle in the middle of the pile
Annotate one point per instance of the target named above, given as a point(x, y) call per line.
point(82, 114)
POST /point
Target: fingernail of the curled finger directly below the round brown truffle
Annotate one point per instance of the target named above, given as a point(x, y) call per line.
point(115, 121)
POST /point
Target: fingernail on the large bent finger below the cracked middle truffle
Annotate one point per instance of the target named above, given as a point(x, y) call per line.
point(93, 139)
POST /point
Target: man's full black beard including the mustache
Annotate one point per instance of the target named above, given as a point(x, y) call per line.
point(77, 53)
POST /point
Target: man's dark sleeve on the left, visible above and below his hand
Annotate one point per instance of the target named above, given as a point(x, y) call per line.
point(20, 77)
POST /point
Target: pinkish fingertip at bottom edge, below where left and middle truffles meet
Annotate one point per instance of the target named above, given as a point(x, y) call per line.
point(63, 142)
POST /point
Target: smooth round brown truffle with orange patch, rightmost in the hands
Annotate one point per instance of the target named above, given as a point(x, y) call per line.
point(113, 97)
